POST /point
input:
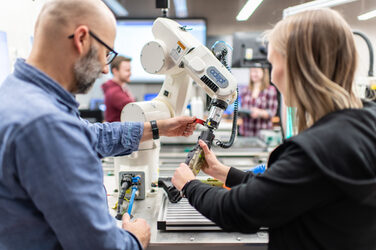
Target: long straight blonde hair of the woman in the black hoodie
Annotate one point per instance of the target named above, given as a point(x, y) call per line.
point(321, 60)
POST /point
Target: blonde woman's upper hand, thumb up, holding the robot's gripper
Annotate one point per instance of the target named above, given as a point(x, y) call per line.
point(213, 167)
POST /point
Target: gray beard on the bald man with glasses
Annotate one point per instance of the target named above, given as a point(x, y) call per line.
point(86, 71)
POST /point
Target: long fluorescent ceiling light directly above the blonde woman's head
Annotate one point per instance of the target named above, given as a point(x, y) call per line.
point(313, 5)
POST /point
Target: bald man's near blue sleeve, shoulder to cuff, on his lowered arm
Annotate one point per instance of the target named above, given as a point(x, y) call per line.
point(60, 171)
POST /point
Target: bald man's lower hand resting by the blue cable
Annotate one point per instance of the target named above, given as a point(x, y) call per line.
point(139, 228)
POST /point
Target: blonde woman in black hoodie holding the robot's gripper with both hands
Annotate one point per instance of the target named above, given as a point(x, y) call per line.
point(319, 191)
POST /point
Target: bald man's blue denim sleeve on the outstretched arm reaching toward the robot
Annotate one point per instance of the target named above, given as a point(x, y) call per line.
point(115, 138)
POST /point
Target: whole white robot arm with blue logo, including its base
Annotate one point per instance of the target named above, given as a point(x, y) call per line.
point(182, 58)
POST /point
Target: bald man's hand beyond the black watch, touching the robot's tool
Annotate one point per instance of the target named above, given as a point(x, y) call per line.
point(177, 126)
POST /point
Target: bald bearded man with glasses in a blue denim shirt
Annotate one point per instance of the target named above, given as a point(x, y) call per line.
point(51, 180)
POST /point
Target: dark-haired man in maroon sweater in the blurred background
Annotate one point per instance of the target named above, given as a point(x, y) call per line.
point(116, 91)
